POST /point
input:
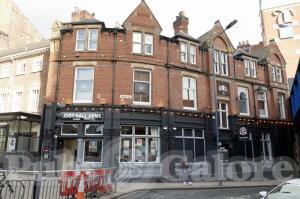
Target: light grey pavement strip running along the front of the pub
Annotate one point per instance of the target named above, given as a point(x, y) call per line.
point(125, 188)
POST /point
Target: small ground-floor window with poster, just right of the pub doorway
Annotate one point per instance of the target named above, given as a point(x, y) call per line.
point(93, 150)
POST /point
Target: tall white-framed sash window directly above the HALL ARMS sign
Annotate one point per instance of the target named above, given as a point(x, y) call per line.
point(84, 82)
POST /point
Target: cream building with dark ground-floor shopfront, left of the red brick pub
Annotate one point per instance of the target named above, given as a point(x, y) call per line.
point(23, 78)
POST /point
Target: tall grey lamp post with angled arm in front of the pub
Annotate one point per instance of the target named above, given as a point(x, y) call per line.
point(216, 124)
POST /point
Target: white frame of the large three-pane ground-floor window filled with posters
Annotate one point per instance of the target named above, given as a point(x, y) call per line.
point(133, 137)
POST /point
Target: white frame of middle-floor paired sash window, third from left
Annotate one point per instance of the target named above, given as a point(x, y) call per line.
point(189, 89)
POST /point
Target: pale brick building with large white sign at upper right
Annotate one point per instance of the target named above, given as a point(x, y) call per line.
point(281, 24)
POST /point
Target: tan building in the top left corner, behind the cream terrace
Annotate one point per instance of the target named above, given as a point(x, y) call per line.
point(15, 29)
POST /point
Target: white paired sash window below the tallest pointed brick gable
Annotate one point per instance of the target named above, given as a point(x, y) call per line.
point(142, 43)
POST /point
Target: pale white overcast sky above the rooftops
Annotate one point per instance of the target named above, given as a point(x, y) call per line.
point(202, 14)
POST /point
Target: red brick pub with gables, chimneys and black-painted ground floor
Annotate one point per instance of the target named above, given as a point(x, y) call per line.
point(150, 95)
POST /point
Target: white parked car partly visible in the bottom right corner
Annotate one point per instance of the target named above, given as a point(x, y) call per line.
point(287, 190)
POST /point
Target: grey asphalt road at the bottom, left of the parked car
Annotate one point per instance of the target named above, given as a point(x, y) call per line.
point(218, 193)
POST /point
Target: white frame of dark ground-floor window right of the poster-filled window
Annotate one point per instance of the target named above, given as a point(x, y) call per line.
point(183, 137)
